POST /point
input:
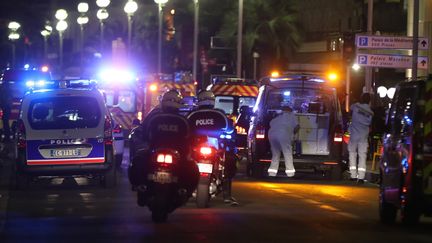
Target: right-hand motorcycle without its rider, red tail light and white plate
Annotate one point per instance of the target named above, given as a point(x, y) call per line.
point(209, 154)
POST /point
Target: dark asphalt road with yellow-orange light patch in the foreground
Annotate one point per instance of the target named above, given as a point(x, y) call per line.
point(303, 209)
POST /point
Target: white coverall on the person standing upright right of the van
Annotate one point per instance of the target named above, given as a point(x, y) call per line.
point(358, 143)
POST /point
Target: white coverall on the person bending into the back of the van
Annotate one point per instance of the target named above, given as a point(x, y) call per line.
point(280, 136)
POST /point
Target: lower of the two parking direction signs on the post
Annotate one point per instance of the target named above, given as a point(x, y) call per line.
point(390, 61)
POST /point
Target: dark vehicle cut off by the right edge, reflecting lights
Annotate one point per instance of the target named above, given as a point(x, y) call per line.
point(406, 163)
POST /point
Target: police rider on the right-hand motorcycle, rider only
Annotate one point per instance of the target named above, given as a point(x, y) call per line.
point(207, 120)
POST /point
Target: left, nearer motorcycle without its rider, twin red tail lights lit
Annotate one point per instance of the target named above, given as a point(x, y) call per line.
point(161, 192)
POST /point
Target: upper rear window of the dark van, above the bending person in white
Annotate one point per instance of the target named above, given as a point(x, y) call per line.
point(301, 100)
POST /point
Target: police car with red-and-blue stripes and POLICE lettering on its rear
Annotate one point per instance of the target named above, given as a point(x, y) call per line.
point(65, 131)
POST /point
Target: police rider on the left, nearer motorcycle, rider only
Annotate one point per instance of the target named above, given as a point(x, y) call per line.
point(162, 127)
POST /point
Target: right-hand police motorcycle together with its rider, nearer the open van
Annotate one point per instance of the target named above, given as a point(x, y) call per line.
point(211, 139)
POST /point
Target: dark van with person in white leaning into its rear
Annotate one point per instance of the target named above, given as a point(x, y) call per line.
point(318, 144)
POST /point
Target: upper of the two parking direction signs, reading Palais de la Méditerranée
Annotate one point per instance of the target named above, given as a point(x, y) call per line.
point(389, 42)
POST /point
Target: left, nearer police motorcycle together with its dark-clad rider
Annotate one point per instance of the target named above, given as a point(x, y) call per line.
point(160, 169)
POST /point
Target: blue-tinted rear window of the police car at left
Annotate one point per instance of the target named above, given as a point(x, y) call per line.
point(64, 113)
